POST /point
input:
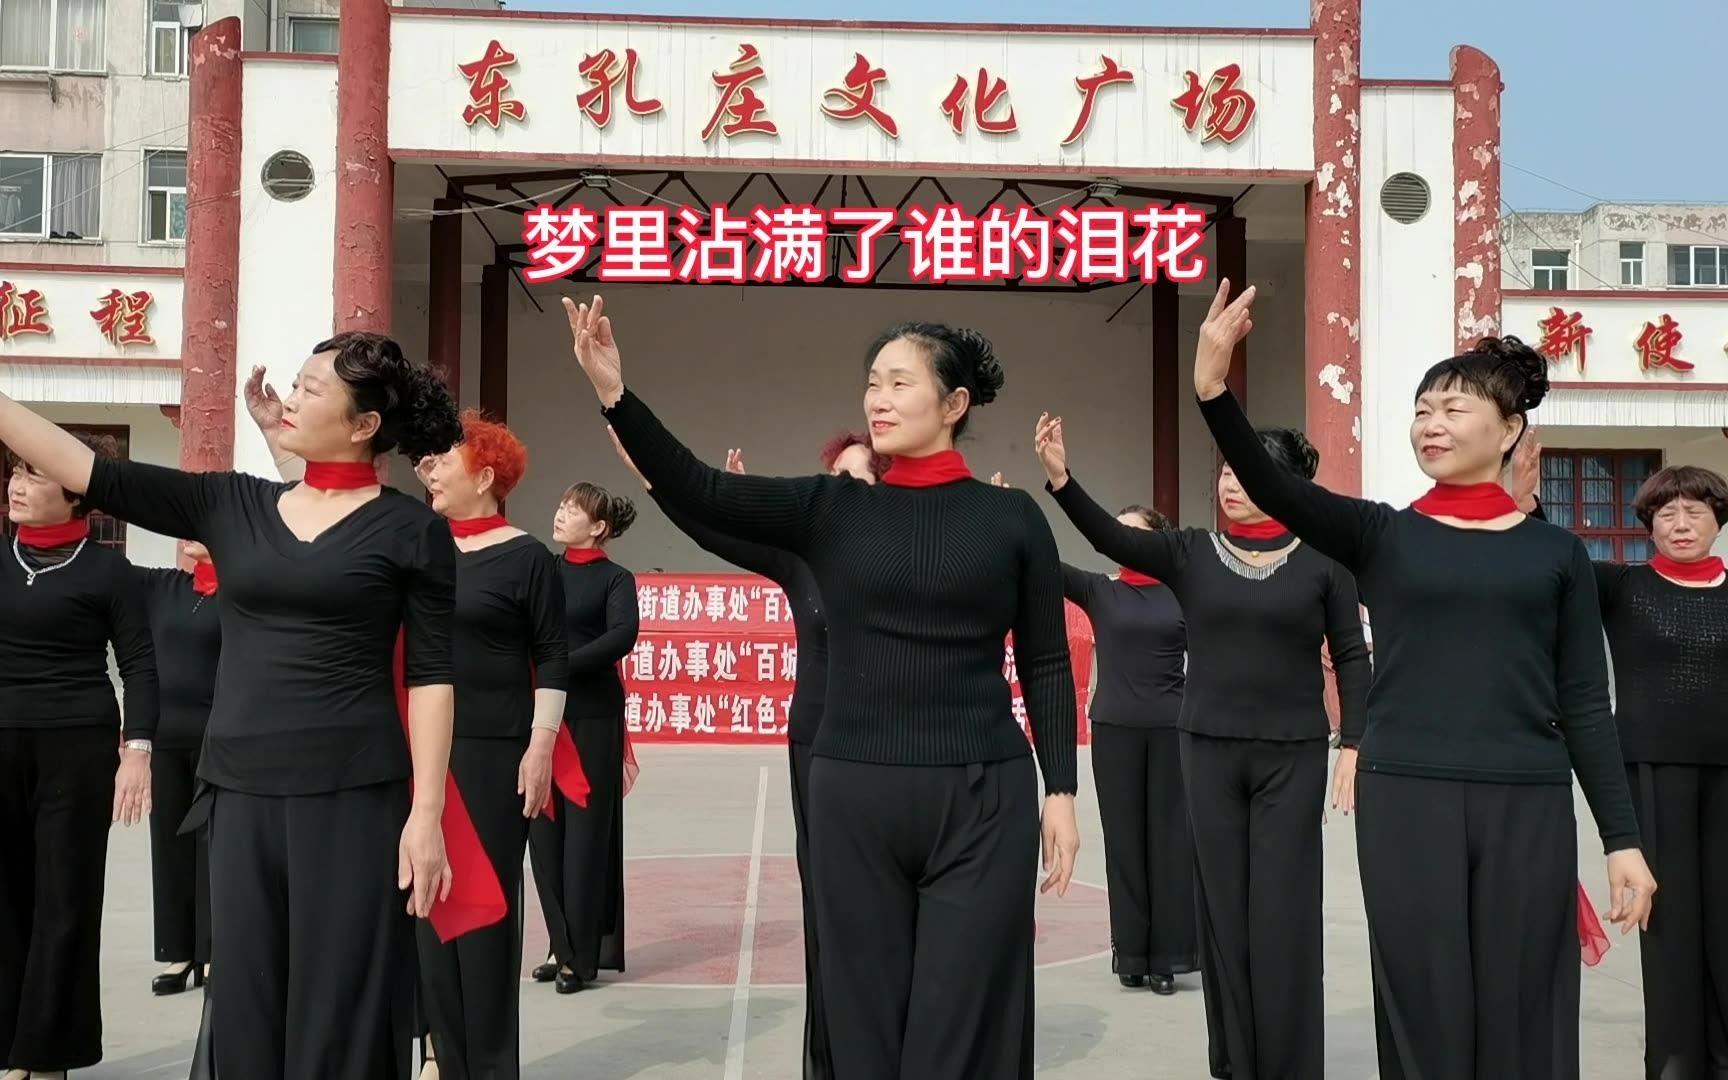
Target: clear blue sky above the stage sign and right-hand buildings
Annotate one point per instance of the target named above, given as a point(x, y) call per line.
point(1615, 101)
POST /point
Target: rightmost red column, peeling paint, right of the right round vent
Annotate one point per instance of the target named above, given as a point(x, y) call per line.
point(1477, 191)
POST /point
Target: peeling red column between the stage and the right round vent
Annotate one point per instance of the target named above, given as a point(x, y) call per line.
point(1333, 250)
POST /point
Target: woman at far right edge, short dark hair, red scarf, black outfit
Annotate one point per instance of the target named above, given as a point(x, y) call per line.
point(1668, 637)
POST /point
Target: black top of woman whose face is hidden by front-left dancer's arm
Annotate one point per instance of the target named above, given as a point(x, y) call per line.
point(187, 635)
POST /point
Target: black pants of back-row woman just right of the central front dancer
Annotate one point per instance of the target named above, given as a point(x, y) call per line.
point(1148, 849)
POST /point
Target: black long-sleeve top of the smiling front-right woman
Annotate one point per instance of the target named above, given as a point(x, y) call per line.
point(1489, 644)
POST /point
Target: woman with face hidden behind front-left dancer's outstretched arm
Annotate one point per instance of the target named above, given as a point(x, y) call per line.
point(187, 637)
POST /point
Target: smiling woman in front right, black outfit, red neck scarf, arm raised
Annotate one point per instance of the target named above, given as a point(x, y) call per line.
point(1490, 690)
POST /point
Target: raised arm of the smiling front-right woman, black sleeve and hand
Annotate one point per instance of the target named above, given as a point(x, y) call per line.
point(1338, 526)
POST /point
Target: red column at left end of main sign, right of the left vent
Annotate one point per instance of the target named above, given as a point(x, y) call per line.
point(365, 182)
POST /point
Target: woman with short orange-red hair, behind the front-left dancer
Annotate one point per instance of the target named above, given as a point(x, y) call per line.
point(511, 661)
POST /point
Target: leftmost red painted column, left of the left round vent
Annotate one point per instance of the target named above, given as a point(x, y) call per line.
point(212, 283)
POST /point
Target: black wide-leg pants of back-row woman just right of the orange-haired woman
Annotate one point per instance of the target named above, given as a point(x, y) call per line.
point(580, 856)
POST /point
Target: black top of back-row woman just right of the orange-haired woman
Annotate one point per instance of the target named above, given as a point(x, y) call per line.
point(600, 621)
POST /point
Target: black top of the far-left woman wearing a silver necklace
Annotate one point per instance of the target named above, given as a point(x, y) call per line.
point(54, 640)
